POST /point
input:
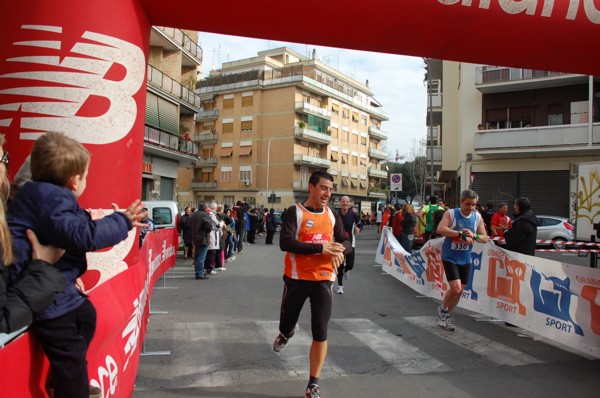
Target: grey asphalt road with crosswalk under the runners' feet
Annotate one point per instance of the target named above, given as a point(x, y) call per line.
point(383, 341)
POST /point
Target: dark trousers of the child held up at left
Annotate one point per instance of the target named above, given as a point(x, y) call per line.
point(65, 341)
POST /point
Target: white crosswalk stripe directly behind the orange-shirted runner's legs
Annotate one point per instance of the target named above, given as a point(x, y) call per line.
point(295, 357)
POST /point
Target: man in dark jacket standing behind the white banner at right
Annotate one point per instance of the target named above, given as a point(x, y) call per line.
point(522, 235)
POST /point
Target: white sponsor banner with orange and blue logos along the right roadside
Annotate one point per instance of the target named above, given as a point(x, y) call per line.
point(556, 300)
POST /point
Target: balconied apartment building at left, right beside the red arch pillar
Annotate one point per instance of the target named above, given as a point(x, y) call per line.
point(171, 107)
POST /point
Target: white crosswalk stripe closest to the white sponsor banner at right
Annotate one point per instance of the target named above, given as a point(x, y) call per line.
point(492, 351)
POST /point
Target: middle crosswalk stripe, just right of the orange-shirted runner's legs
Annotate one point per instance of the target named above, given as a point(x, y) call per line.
point(403, 356)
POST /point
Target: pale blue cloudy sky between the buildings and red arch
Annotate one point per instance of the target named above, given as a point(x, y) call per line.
point(396, 81)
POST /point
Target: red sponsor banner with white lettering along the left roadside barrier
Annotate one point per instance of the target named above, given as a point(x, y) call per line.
point(122, 305)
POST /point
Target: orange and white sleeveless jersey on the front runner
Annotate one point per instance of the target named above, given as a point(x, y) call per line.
point(312, 228)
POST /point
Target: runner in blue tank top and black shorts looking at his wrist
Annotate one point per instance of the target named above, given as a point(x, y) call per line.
point(461, 227)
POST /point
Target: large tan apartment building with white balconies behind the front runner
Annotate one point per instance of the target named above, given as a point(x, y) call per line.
point(269, 121)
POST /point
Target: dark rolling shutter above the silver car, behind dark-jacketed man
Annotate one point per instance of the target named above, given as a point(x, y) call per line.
point(548, 191)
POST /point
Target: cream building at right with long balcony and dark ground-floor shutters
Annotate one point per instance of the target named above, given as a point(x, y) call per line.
point(510, 132)
